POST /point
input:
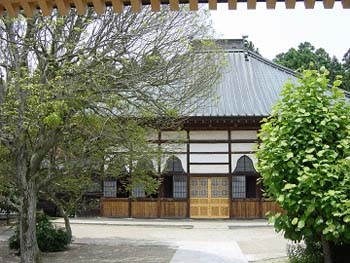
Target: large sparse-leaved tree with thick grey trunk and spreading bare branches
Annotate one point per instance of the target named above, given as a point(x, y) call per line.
point(59, 67)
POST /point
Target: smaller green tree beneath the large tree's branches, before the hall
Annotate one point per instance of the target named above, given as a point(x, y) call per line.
point(96, 148)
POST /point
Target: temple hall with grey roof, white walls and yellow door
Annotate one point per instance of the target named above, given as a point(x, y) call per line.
point(208, 169)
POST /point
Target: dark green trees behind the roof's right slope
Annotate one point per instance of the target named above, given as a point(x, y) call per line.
point(306, 56)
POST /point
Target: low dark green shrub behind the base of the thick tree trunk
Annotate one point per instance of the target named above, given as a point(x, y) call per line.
point(50, 238)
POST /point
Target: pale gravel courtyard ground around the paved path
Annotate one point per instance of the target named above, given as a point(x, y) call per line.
point(131, 244)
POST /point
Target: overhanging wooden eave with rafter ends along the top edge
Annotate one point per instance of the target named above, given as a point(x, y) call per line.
point(12, 7)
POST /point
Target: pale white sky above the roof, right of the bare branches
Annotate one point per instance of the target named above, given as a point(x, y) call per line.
point(276, 31)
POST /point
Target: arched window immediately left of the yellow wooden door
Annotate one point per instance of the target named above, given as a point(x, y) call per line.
point(174, 183)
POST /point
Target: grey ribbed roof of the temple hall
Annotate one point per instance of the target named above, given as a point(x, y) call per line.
point(249, 86)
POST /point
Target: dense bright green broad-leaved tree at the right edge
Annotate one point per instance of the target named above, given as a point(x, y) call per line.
point(304, 159)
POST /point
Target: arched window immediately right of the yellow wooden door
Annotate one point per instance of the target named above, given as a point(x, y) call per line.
point(244, 180)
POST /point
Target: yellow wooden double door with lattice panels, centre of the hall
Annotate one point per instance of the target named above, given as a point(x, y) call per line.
point(209, 197)
